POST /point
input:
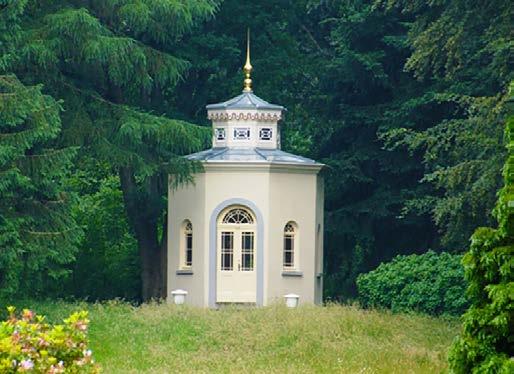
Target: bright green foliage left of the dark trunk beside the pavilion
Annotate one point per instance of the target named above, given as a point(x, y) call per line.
point(107, 263)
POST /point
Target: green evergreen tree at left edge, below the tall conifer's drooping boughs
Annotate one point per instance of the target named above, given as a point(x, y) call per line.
point(38, 235)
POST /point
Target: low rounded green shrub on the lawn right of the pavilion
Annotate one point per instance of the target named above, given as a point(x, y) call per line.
point(430, 283)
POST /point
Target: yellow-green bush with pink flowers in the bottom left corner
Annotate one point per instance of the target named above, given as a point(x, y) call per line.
point(29, 344)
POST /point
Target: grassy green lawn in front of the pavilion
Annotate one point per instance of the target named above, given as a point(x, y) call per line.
point(167, 339)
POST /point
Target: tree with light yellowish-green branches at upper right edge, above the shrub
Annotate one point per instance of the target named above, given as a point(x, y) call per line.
point(464, 51)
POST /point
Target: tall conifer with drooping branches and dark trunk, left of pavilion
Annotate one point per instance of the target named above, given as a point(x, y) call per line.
point(112, 63)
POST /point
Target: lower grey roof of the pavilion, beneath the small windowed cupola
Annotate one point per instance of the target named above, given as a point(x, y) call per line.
point(236, 154)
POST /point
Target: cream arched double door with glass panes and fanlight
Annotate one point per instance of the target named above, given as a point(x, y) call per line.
point(236, 275)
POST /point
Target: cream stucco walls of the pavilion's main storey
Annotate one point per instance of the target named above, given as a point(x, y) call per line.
point(282, 194)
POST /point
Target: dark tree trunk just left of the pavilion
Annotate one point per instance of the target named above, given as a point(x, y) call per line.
point(143, 215)
